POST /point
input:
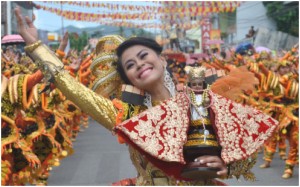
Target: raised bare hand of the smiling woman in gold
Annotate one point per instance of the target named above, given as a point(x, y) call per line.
point(26, 30)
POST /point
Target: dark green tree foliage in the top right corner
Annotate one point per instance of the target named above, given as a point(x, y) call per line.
point(286, 16)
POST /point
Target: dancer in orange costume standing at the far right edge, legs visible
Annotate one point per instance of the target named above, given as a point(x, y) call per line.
point(287, 107)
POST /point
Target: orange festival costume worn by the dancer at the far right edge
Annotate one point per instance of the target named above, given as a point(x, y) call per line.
point(283, 107)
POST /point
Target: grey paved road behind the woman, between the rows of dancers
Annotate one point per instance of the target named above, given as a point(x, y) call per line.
point(99, 160)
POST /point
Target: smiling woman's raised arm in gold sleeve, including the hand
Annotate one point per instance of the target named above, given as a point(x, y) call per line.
point(98, 107)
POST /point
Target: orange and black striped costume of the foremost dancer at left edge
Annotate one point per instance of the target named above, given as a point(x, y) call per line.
point(16, 151)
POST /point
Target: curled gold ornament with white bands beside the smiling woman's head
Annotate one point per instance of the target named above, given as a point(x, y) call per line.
point(108, 80)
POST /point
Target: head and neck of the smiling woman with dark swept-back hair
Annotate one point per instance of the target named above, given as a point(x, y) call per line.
point(141, 65)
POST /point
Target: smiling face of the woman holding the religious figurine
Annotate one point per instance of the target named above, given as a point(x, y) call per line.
point(143, 67)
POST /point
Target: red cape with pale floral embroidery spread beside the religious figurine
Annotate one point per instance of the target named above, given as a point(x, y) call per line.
point(160, 132)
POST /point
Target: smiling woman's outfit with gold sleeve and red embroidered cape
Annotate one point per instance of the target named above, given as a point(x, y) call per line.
point(156, 136)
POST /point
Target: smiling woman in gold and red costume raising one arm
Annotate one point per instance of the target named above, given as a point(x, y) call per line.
point(156, 130)
